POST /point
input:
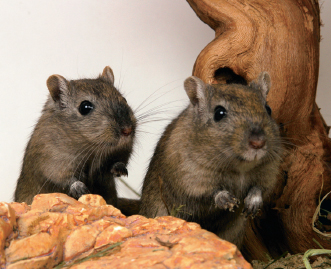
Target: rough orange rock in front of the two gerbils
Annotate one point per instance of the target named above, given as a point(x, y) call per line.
point(57, 231)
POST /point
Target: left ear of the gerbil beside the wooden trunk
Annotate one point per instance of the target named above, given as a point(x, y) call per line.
point(195, 90)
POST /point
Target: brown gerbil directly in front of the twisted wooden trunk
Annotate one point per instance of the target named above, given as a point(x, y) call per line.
point(217, 160)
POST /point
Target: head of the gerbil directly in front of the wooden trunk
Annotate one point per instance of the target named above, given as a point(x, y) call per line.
point(232, 123)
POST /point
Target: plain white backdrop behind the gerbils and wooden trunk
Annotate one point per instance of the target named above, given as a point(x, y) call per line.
point(151, 45)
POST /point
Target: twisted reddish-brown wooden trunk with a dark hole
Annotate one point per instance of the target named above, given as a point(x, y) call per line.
point(282, 38)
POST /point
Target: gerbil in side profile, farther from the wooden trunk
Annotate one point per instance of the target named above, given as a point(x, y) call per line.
point(83, 139)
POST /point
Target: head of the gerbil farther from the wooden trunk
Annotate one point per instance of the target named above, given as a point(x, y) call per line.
point(91, 110)
